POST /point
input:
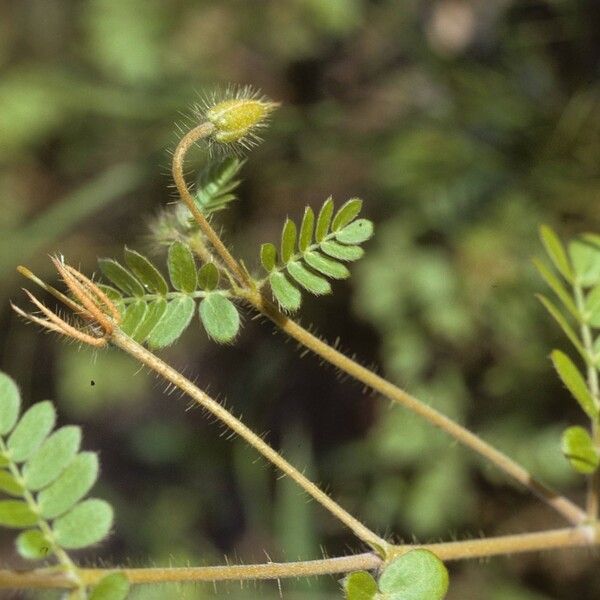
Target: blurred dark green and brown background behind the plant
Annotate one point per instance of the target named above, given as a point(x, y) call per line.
point(464, 124)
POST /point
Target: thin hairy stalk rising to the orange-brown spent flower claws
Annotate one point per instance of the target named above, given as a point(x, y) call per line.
point(140, 353)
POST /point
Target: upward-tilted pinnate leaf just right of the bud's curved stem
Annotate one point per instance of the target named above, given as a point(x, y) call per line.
point(315, 252)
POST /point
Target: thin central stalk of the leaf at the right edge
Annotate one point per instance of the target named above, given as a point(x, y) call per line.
point(593, 493)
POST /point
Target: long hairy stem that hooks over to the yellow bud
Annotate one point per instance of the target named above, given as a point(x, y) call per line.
point(573, 513)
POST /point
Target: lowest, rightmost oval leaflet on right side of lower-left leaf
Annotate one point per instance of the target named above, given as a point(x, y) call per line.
point(84, 525)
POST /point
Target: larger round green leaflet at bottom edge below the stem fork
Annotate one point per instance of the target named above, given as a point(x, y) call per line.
point(416, 575)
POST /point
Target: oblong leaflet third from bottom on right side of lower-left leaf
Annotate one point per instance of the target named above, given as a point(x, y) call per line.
point(53, 456)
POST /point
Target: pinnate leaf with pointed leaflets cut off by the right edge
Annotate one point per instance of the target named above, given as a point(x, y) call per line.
point(575, 282)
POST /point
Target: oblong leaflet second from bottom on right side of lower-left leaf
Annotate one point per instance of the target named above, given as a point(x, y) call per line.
point(72, 485)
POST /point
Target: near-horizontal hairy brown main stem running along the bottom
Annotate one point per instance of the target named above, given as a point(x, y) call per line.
point(468, 549)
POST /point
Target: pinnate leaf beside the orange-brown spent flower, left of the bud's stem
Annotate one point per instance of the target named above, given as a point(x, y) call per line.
point(157, 314)
